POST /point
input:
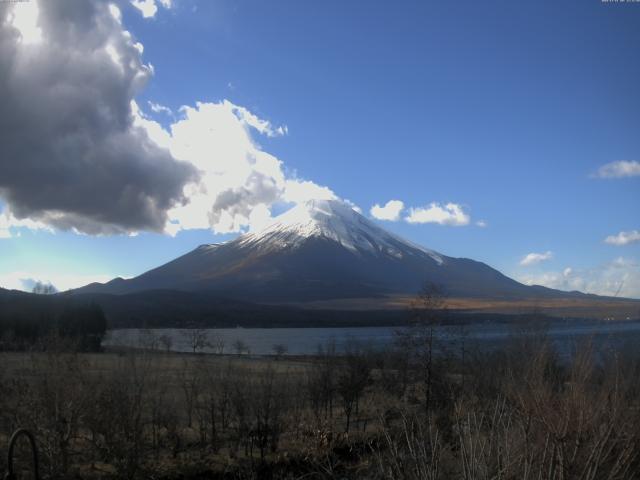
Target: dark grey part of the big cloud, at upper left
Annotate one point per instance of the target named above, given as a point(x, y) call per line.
point(70, 155)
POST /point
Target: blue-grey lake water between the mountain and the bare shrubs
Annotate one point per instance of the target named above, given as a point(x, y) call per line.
point(305, 341)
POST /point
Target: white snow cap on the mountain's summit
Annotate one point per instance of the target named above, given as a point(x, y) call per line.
point(336, 221)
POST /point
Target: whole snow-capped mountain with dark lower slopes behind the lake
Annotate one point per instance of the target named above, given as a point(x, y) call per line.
point(321, 250)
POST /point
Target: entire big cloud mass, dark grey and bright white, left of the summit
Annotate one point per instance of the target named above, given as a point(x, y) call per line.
point(77, 152)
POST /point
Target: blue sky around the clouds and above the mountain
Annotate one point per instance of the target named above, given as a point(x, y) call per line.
point(507, 110)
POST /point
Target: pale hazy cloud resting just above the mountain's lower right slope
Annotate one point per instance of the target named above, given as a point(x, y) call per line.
point(620, 277)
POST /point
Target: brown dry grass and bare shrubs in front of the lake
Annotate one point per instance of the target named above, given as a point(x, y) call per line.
point(410, 412)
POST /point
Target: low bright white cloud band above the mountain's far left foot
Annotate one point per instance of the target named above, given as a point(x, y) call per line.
point(24, 280)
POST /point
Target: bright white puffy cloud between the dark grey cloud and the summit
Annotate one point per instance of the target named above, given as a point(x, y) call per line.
point(238, 182)
